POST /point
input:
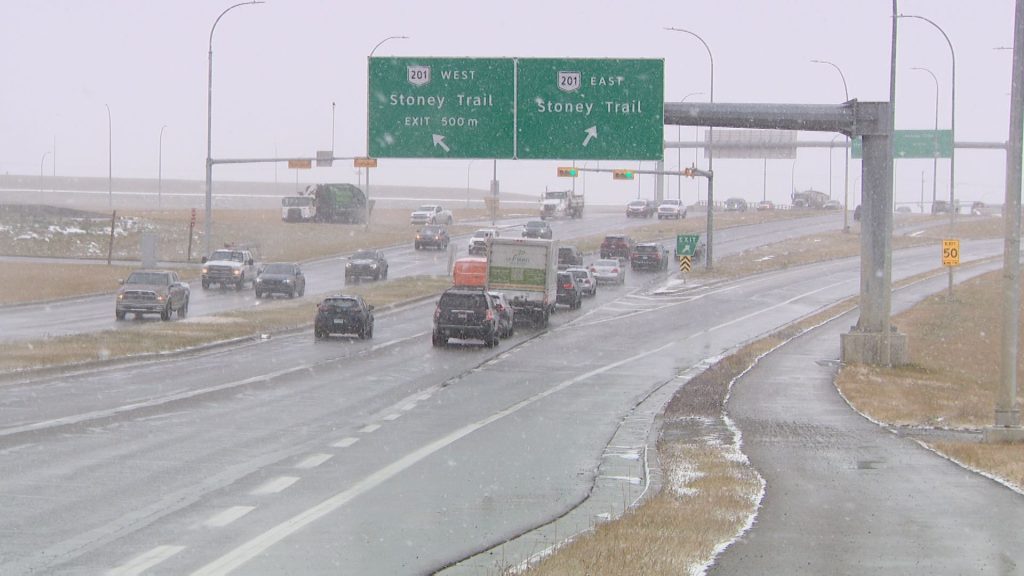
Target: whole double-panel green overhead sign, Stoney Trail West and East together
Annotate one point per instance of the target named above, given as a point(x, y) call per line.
point(539, 109)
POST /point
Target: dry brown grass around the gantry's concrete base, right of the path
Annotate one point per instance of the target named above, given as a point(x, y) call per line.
point(953, 379)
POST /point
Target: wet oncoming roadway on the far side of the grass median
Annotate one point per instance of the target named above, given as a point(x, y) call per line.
point(96, 313)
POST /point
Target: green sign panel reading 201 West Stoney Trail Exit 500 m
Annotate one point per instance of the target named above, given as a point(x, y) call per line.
point(442, 108)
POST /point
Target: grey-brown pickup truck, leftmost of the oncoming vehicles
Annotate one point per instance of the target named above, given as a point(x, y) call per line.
point(153, 292)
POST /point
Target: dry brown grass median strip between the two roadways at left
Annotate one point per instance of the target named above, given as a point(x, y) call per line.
point(162, 338)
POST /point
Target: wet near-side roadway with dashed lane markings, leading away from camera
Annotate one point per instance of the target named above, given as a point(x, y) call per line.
point(378, 458)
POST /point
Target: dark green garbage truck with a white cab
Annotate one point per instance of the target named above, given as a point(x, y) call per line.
point(327, 203)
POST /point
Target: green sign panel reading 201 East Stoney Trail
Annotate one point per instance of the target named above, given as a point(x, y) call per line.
point(588, 109)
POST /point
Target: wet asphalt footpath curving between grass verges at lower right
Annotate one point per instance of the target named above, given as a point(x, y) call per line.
point(847, 497)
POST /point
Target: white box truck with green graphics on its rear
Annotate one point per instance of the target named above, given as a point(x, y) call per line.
point(527, 271)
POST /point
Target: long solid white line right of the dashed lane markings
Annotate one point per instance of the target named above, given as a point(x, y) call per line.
point(257, 547)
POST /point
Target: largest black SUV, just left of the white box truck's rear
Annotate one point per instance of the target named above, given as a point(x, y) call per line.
point(466, 313)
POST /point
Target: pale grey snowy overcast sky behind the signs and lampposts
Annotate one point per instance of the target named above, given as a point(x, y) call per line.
point(279, 67)
